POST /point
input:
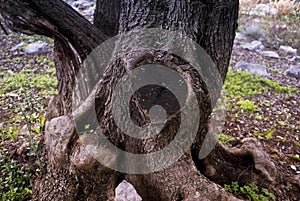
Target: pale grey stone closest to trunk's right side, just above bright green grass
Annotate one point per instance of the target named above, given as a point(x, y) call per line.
point(254, 69)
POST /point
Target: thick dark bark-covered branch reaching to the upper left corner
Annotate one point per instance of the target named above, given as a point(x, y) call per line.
point(53, 18)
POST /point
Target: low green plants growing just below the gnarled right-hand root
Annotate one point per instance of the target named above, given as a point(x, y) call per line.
point(249, 192)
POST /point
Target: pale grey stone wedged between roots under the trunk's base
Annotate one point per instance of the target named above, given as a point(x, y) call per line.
point(126, 192)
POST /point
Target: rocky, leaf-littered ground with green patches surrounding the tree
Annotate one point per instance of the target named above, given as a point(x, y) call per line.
point(265, 106)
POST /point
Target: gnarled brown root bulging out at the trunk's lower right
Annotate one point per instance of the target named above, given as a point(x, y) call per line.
point(247, 162)
